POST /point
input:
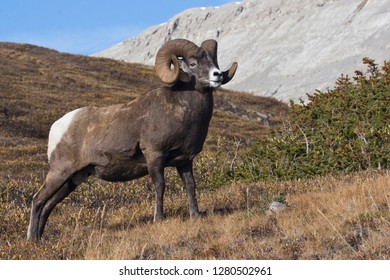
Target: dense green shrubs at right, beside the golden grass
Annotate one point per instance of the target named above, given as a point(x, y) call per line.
point(345, 129)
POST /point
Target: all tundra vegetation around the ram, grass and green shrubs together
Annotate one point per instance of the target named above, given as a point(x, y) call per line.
point(340, 212)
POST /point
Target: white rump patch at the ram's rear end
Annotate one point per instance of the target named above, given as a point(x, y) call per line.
point(58, 129)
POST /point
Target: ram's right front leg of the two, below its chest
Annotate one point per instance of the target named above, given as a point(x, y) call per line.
point(186, 174)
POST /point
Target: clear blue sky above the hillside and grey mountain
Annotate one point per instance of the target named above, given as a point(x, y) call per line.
point(85, 26)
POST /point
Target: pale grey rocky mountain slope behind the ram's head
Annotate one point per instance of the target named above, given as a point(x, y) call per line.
point(284, 48)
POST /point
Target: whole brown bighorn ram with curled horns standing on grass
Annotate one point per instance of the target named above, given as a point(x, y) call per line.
point(164, 127)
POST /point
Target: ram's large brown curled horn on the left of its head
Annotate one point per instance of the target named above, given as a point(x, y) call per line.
point(168, 54)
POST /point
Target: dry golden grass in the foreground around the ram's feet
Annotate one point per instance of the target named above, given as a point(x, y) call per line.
point(342, 217)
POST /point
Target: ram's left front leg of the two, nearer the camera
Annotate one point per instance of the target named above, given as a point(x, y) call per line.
point(155, 164)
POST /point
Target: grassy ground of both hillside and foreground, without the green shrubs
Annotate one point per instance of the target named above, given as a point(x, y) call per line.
point(103, 220)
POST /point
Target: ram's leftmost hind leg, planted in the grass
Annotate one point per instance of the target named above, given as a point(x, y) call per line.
point(53, 183)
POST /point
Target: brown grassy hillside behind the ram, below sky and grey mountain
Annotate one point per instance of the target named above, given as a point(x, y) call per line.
point(38, 85)
